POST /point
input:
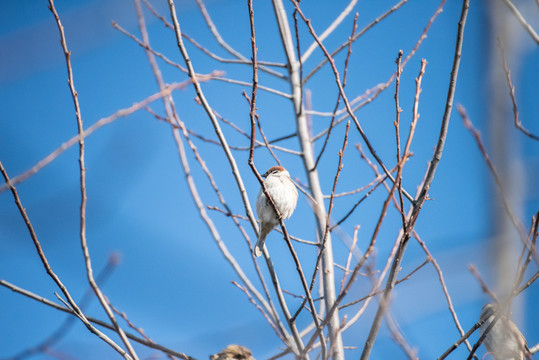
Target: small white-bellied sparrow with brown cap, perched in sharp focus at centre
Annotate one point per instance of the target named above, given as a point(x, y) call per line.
point(285, 196)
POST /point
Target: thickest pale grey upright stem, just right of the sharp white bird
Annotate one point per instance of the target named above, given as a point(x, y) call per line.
point(313, 177)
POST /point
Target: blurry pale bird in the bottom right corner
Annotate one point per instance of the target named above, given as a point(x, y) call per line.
point(504, 341)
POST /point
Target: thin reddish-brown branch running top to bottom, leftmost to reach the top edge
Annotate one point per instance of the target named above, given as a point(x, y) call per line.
point(83, 240)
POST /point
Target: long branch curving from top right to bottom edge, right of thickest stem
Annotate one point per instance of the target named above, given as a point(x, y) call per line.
point(422, 195)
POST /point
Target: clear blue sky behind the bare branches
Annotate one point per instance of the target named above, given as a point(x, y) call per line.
point(172, 280)
